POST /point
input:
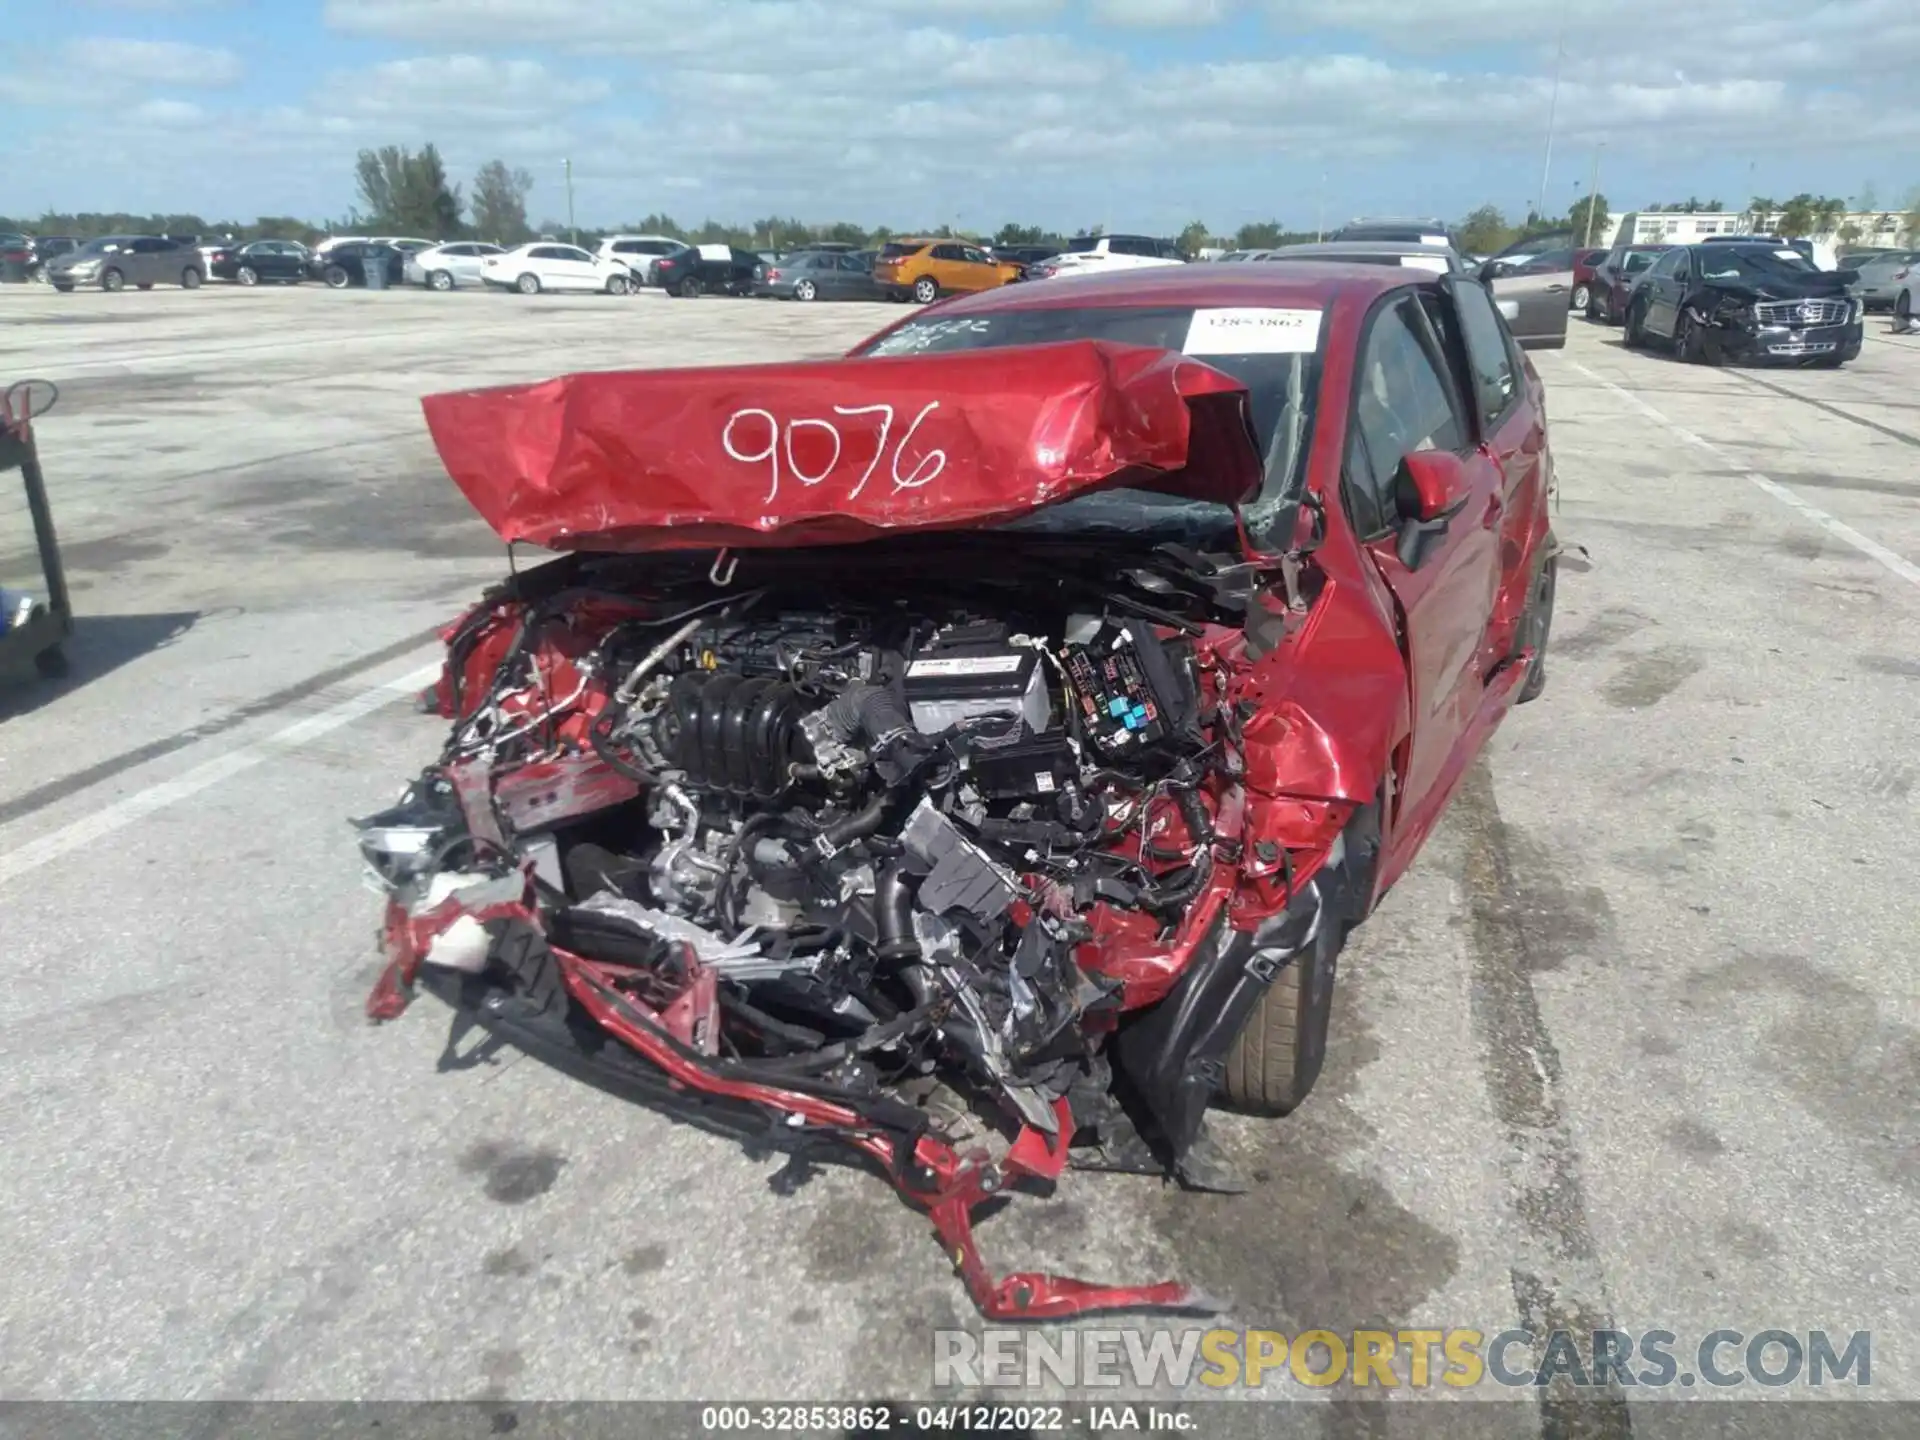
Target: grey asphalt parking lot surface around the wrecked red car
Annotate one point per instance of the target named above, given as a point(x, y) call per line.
point(1637, 1044)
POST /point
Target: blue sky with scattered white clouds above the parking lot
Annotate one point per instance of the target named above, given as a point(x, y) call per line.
point(1138, 114)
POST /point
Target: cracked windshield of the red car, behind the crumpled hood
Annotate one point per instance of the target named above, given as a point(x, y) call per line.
point(1282, 393)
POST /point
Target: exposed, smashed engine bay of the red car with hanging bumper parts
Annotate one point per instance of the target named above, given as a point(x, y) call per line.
point(873, 855)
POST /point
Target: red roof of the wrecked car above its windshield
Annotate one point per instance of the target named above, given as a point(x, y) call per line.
point(1308, 283)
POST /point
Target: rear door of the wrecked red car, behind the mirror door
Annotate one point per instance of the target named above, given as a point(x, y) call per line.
point(1493, 372)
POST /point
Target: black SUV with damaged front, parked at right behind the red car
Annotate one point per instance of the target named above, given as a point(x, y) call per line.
point(1762, 304)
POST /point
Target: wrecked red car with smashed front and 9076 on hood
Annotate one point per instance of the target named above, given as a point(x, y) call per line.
point(1015, 715)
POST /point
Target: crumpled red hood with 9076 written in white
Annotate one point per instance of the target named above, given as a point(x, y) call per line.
point(832, 452)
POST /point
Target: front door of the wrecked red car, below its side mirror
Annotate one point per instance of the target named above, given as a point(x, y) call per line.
point(1404, 402)
